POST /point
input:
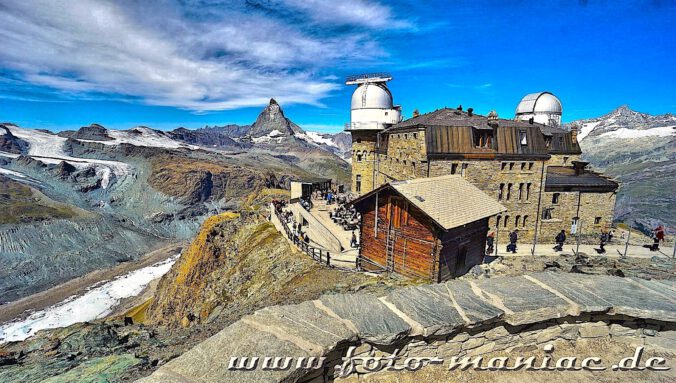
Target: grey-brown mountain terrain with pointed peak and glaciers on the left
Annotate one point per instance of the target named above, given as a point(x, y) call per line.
point(82, 200)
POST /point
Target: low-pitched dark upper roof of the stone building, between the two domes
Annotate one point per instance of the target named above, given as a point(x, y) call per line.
point(453, 117)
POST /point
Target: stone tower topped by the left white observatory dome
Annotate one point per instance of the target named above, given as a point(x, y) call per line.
point(371, 112)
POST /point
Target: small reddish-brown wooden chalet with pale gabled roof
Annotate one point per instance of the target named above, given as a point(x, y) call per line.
point(429, 228)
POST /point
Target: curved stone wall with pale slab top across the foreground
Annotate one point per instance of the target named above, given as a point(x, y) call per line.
point(455, 318)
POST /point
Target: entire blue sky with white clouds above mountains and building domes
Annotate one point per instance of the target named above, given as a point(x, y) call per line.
point(164, 64)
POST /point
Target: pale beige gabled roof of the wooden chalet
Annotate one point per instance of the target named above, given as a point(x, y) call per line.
point(450, 201)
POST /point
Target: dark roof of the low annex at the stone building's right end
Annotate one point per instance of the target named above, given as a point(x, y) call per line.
point(564, 177)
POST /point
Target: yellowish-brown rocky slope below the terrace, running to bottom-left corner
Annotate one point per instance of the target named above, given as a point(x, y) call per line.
point(236, 264)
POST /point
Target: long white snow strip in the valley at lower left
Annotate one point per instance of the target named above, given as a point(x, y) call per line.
point(96, 303)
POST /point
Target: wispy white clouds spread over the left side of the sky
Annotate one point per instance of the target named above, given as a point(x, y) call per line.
point(194, 54)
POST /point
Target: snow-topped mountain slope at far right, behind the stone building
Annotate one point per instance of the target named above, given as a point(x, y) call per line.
point(639, 150)
